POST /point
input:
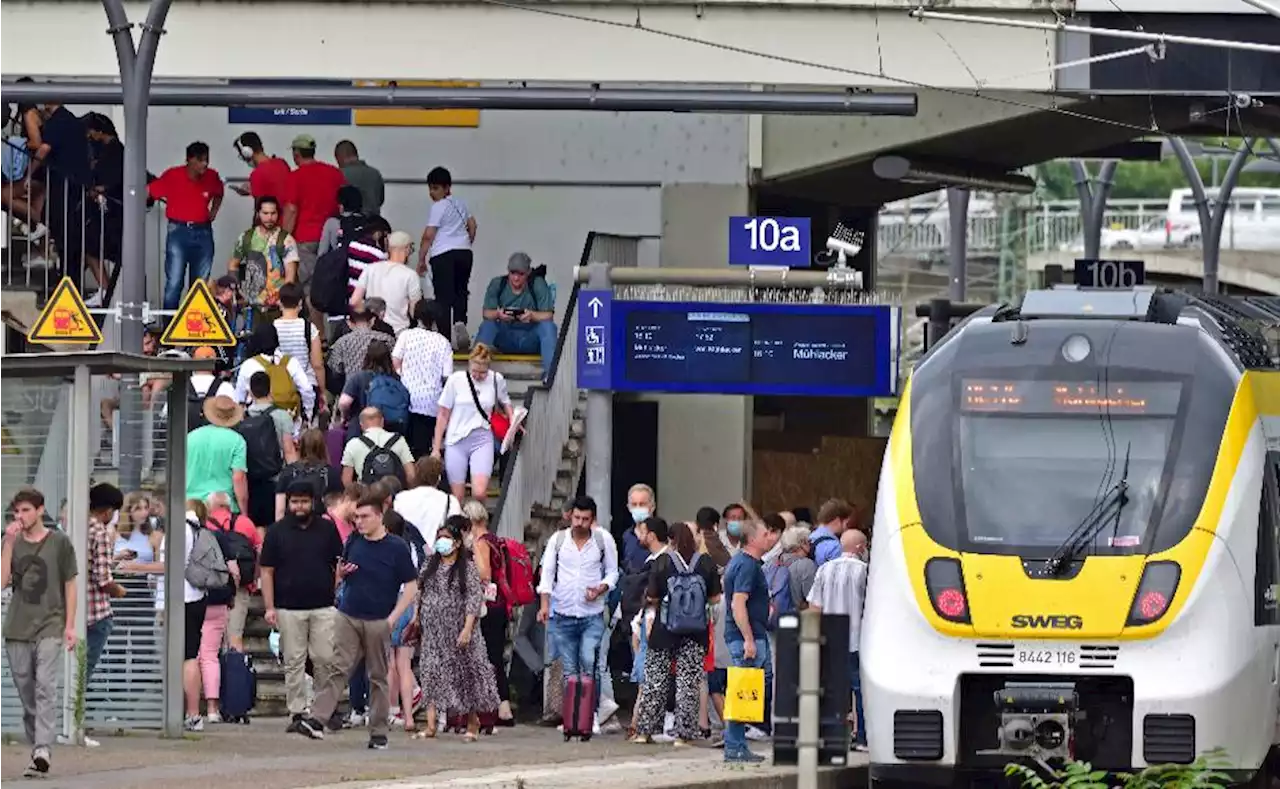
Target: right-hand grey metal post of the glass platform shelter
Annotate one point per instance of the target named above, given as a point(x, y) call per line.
point(175, 565)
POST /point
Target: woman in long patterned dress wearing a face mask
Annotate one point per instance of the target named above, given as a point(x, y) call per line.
point(454, 669)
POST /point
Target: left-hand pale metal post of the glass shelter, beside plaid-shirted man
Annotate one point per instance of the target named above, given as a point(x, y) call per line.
point(79, 471)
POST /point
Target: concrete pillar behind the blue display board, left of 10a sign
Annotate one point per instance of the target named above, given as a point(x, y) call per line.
point(703, 440)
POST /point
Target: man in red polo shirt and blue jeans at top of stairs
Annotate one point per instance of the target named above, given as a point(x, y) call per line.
point(193, 195)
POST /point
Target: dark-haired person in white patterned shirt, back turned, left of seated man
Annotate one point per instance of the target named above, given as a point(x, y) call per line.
point(424, 359)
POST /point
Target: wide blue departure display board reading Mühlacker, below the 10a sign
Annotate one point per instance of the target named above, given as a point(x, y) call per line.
point(748, 349)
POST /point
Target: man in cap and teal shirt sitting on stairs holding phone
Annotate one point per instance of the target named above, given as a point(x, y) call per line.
point(519, 313)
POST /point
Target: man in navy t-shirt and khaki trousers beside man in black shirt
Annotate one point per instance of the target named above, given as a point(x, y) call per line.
point(380, 583)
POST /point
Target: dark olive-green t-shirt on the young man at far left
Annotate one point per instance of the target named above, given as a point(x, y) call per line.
point(40, 573)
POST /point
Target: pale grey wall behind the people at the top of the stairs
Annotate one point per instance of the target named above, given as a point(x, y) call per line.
point(536, 181)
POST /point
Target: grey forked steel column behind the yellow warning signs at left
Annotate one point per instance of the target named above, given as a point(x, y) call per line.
point(136, 70)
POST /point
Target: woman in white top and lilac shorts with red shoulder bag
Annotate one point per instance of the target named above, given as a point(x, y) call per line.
point(463, 425)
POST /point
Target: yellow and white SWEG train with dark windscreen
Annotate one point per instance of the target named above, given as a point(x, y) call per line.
point(1077, 542)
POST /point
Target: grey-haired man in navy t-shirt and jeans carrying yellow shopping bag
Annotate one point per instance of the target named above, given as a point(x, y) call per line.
point(747, 632)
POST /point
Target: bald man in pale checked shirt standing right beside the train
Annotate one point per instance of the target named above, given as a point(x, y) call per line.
point(840, 587)
